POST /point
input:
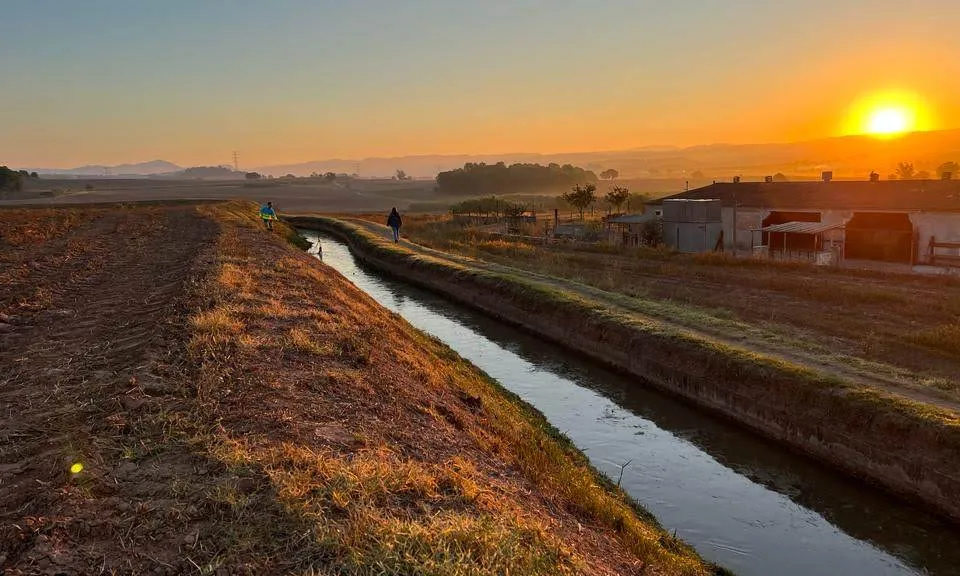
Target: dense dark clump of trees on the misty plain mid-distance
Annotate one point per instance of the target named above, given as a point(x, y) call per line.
point(481, 178)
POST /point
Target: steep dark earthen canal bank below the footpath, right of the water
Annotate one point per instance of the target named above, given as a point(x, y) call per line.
point(907, 448)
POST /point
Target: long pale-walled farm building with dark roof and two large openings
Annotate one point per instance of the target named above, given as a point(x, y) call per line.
point(898, 221)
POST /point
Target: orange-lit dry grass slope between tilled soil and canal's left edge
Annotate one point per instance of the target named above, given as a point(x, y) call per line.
point(387, 452)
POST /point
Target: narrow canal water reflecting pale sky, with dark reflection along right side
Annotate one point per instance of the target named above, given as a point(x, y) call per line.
point(741, 501)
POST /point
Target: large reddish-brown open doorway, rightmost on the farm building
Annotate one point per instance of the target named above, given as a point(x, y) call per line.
point(883, 236)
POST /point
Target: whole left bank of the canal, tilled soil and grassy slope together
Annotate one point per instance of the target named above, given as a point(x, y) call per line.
point(266, 417)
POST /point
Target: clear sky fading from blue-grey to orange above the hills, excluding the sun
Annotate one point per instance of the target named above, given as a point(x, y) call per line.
point(110, 82)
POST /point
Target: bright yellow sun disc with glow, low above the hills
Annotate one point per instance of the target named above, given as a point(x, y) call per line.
point(889, 114)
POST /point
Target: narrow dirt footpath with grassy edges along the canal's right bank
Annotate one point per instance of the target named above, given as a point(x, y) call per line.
point(874, 375)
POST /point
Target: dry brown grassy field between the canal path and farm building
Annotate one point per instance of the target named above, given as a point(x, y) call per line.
point(906, 329)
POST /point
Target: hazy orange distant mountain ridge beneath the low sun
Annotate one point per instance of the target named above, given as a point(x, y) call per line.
point(847, 157)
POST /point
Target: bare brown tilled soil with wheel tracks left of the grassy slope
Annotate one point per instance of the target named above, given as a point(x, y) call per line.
point(90, 341)
